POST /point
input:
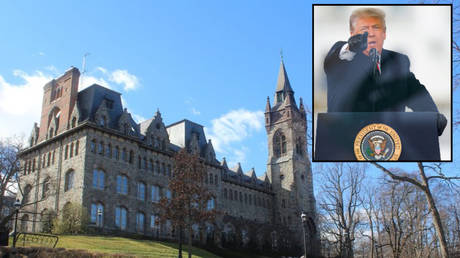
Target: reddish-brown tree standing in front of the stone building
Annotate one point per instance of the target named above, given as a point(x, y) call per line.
point(189, 203)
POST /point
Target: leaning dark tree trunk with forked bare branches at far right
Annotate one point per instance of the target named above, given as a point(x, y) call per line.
point(422, 182)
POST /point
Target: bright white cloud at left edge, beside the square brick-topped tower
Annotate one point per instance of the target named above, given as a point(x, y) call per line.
point(20, 104)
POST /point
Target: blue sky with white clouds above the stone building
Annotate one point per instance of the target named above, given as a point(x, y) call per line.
point(212, 62)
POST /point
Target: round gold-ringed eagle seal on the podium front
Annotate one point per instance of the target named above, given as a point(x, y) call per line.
point(377, 142)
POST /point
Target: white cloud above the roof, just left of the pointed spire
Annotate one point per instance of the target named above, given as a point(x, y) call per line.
point(231, 129)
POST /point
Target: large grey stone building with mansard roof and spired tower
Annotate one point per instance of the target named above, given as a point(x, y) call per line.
point(88, 150)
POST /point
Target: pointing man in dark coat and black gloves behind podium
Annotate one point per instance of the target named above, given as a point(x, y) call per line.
point(364, 77)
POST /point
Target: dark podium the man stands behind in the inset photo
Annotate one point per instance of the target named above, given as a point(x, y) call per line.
point(337, 134)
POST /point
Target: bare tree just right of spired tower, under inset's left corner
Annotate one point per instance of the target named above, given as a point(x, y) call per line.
point(340, 205)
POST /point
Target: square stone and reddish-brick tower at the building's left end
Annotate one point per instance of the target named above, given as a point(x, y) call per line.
point(59, 98)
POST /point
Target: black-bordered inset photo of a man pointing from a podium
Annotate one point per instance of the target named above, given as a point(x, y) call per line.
point(382, 83)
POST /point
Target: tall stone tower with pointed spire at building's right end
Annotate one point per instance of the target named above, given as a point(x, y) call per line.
point(288, 166)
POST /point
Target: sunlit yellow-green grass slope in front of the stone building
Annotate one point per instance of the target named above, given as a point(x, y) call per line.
point(120, 245)
